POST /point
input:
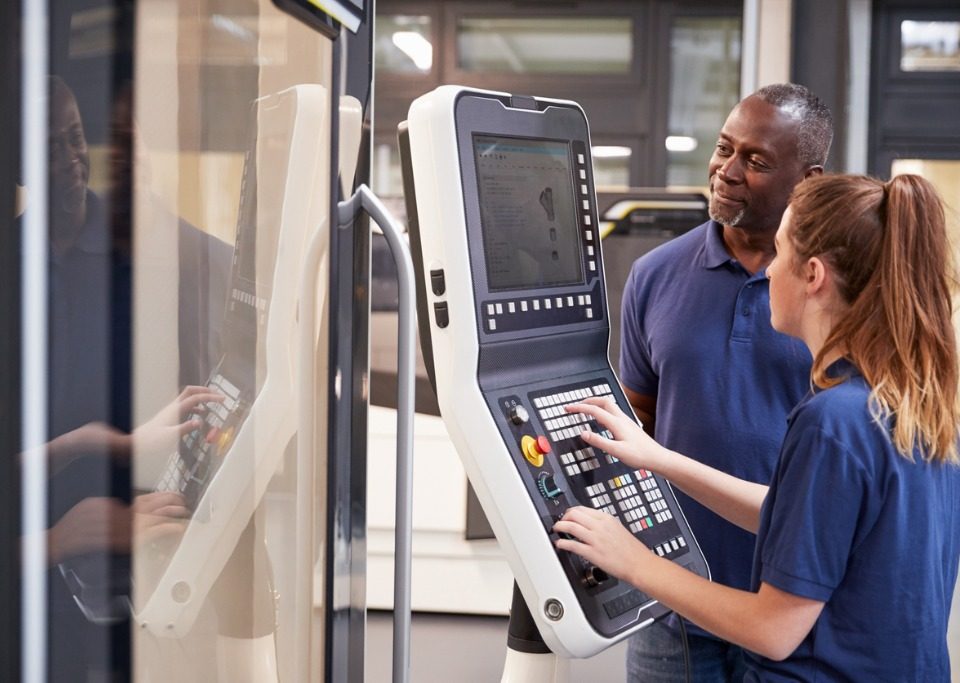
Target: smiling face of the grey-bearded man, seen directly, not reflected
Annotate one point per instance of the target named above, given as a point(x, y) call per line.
point(754, 166)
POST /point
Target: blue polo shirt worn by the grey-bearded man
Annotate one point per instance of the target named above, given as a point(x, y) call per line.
point(696, 334)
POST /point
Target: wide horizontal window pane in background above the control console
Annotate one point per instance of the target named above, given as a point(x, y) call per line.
point(538, 45)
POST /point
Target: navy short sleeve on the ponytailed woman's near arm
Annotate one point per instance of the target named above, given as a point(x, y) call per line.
point(821, 493)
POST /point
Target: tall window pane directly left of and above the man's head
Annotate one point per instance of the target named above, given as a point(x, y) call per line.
point(704, 87)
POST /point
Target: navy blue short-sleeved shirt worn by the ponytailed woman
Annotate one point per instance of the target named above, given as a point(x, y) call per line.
point(850, 522)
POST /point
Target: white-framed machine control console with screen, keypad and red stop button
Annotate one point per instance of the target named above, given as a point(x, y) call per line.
point(486, 388)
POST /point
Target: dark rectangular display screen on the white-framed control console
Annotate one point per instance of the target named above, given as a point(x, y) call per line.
point(527, 212)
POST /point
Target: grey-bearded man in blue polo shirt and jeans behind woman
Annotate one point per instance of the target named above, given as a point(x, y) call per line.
point(700, 363)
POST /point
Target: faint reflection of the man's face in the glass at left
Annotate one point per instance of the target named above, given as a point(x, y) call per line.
point(69, 158)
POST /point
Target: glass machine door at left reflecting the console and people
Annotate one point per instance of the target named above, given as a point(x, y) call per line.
point(189, 152)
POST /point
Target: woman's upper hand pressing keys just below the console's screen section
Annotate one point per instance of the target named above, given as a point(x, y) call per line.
point(630, 444)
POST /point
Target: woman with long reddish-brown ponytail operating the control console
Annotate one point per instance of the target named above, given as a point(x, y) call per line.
point(858, 533)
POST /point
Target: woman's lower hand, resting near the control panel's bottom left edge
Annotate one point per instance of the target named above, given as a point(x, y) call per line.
point(602, 541)
